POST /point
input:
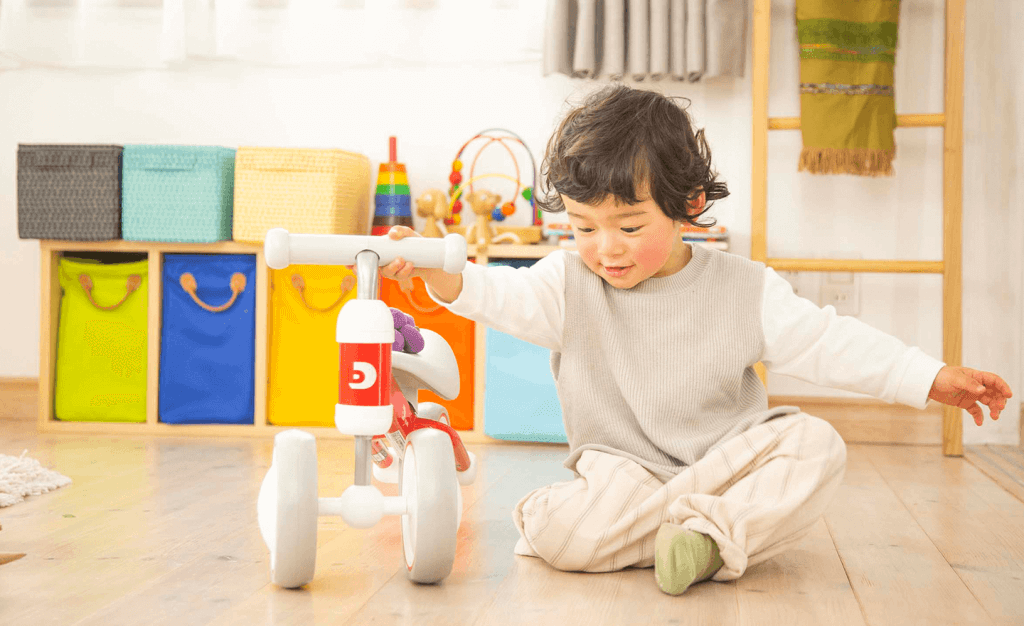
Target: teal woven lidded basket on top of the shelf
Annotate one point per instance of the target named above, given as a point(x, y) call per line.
point(178, 193)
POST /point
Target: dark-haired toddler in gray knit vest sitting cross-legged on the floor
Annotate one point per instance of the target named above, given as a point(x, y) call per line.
point(678, 462)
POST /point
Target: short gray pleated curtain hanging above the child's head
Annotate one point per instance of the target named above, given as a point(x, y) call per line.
point(685, 40)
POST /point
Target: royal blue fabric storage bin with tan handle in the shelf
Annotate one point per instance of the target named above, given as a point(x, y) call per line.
point(207, 373)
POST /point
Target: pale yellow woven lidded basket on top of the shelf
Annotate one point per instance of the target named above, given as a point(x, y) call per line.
point(318, 192)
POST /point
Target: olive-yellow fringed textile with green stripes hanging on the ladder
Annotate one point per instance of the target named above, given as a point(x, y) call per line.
point(847, 110)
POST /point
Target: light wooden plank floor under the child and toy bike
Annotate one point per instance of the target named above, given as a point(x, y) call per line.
point(163, 531)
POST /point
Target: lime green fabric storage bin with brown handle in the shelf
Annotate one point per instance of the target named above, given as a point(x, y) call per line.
point(102, 342)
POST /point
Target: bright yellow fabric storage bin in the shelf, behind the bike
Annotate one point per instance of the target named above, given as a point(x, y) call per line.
point(304, 364)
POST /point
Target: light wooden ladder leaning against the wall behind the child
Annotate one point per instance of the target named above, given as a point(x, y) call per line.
point(953, 193)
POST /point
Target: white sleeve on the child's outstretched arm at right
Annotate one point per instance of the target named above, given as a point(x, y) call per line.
point(820, 347)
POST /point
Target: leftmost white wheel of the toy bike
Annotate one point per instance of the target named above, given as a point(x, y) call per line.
point(288, 510)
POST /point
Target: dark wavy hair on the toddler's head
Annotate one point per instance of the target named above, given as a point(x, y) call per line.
point(625, 143)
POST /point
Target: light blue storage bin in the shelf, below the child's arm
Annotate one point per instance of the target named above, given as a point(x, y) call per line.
point(521, 404)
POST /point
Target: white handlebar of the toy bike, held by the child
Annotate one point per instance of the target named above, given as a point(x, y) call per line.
point(283, 249)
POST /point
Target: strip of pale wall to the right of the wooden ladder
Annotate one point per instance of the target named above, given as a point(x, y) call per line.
point(994, 231)
